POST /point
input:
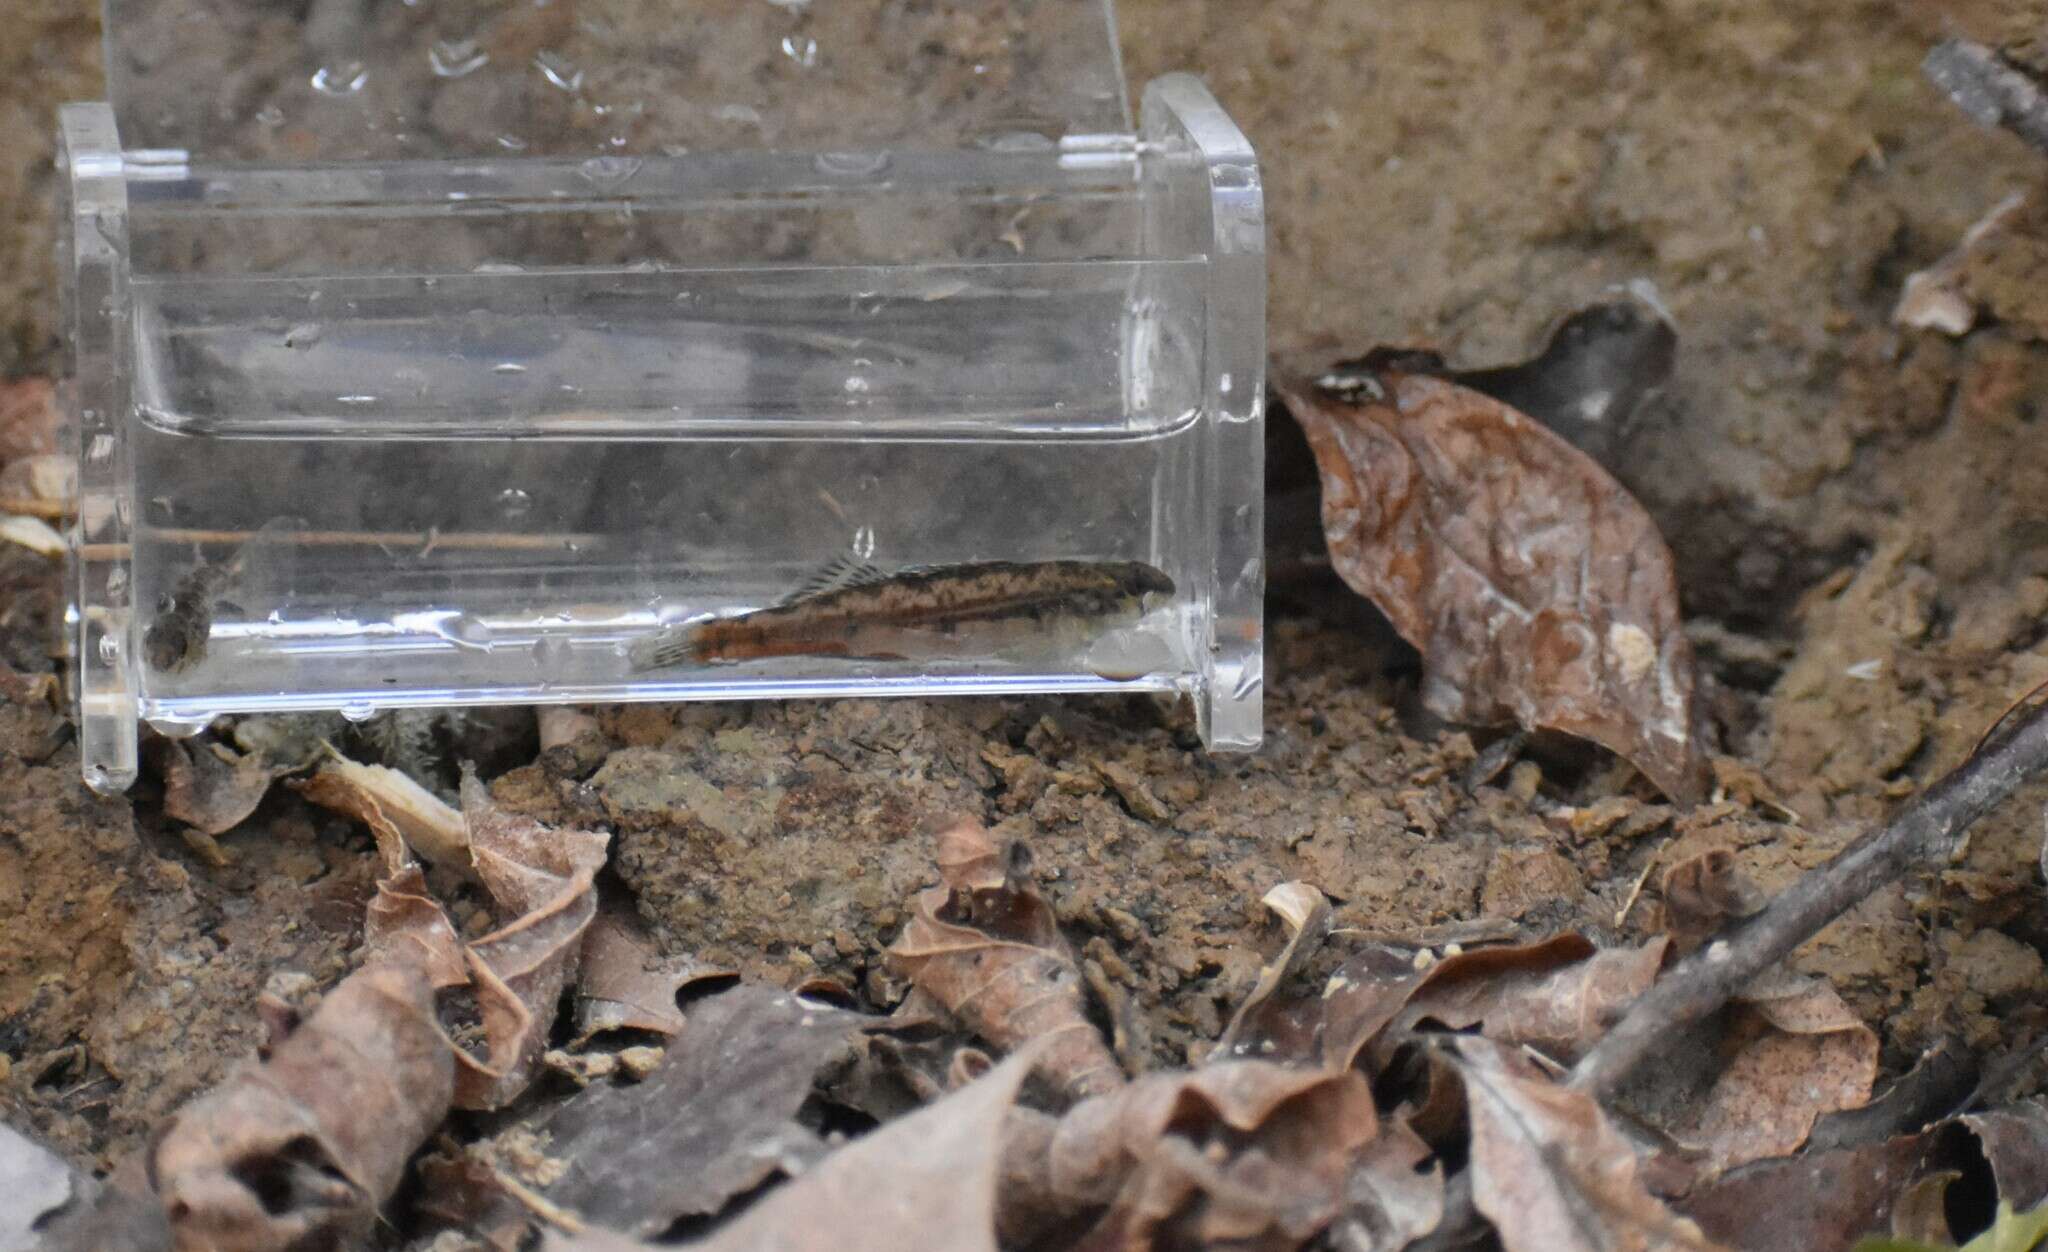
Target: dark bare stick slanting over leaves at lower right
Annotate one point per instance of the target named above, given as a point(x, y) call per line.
point(1928, 829)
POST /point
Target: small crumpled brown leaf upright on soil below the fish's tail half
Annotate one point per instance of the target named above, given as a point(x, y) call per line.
point(988, 950)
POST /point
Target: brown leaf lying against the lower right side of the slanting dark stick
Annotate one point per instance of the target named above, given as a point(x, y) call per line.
point(1779, 1058)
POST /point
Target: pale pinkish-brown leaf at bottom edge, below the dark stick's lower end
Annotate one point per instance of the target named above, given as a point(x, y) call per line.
point(1551, 1171)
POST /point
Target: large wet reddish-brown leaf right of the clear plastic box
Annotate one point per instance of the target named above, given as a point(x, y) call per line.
point(1535, 587)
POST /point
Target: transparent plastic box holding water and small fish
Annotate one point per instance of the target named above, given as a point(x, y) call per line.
point(452, 351)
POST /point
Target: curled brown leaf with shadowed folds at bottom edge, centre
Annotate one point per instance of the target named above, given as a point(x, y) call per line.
point(1242, 1155)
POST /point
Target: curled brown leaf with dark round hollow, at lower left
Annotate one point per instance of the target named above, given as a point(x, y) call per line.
point(312, 1140)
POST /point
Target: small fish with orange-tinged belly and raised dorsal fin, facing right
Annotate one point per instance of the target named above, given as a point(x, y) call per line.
point(865, 614)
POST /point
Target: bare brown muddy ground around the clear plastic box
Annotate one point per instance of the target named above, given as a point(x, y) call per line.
point(1857, 513)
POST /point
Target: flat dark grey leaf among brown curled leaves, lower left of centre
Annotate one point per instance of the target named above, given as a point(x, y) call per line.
point(716, 1120)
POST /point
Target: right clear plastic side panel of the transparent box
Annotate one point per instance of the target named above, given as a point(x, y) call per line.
point(1201, 185)
